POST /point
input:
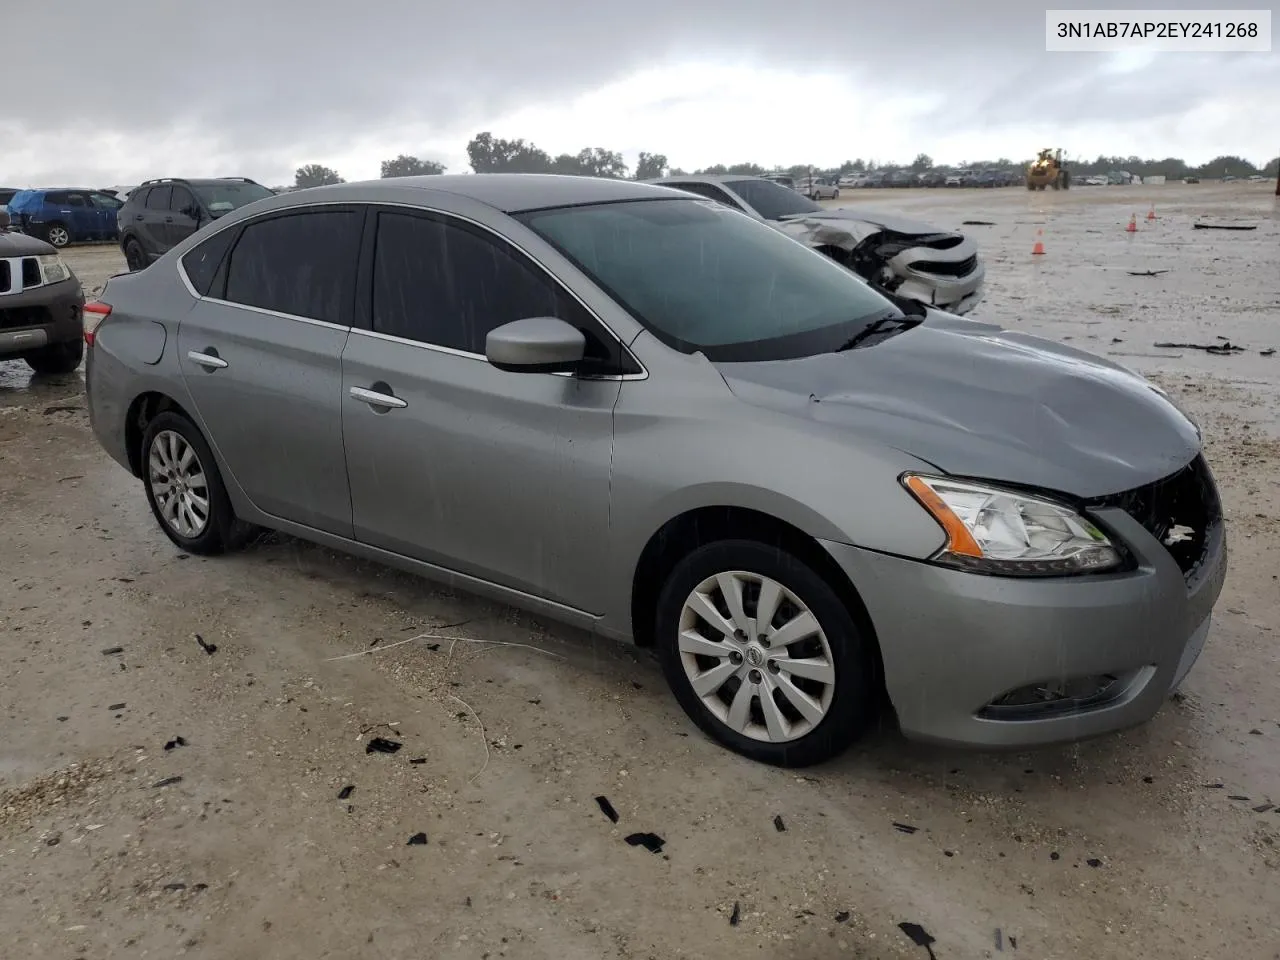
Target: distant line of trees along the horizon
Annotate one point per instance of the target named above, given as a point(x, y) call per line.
point(490, 154)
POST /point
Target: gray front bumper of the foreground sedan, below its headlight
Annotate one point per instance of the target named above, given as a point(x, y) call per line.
point(954, 643)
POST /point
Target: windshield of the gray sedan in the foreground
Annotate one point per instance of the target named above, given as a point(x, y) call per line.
point(702, 277)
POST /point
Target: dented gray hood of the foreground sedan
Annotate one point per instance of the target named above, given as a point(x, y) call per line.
point(979, 401)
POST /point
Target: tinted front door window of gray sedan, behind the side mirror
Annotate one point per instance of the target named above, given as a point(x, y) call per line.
point(447, 285)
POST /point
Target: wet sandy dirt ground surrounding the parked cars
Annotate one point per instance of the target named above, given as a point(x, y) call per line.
point(166, 797)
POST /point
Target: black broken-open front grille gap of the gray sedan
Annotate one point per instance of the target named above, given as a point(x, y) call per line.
point(1183, 513)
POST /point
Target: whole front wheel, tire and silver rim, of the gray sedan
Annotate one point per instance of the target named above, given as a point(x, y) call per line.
point(764, 655)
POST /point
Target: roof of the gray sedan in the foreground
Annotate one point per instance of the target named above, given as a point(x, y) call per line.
point(509, 193)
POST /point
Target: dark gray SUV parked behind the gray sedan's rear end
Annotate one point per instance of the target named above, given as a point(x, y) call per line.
point(161, 214)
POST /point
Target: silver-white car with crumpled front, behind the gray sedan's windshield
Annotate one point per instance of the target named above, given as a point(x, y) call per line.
point(904, 258)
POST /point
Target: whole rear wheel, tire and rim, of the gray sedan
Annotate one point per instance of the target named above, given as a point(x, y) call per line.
point(186, 491)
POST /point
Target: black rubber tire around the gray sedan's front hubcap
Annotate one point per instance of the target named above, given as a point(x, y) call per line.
point(857, 698)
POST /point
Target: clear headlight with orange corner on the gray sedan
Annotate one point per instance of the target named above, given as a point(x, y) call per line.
point(1000, 532)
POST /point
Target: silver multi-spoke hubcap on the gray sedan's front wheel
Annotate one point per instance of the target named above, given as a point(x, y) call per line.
point(757, 657)
